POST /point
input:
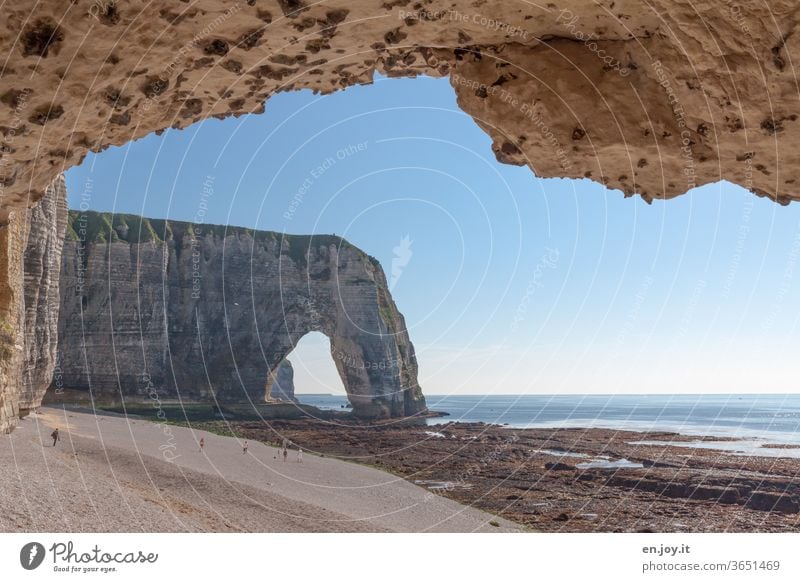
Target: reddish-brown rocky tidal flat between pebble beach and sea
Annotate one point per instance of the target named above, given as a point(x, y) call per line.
point(570, 479)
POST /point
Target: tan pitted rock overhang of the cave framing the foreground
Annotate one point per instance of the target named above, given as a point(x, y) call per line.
point(650, 97)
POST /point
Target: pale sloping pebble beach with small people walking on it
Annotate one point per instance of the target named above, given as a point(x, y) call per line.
point(115, 474)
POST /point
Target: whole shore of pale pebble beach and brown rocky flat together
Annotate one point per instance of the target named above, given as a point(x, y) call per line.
point(397, 475)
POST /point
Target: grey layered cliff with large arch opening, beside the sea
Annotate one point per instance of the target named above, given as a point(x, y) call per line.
point(176, 310)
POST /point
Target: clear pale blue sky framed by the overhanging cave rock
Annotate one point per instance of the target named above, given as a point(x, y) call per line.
point(514, 284)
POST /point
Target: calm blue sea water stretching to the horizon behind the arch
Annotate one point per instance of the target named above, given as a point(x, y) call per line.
point(775, 417)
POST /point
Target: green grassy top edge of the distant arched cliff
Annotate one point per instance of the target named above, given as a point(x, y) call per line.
point(93, 227)
